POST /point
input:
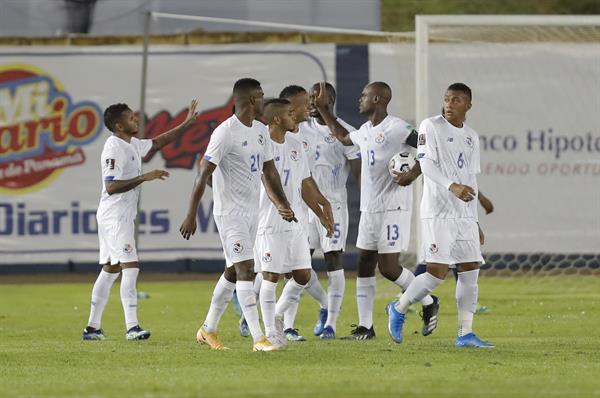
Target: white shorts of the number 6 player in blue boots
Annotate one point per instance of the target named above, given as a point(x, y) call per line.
point(451, 241)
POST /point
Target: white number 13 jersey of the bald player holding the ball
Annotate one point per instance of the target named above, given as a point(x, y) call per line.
point(378, 191)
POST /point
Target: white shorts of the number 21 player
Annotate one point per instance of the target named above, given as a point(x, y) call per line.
point(237, 234)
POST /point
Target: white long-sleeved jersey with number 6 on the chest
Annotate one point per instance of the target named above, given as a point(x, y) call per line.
point(455, 151)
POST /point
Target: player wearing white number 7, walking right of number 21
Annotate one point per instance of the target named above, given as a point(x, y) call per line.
point(283, 247)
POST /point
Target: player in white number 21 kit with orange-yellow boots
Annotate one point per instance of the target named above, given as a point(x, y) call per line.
point(238, 154)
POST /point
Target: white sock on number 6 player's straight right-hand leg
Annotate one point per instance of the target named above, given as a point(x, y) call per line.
point(466, 300)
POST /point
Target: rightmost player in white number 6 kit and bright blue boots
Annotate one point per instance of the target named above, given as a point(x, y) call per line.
point(449, 155)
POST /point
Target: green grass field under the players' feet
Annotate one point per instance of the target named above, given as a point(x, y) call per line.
point(546, 331)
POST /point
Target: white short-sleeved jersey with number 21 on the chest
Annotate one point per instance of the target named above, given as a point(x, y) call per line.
point(239, 152)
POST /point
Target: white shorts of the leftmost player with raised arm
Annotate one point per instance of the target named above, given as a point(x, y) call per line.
point(117, 242)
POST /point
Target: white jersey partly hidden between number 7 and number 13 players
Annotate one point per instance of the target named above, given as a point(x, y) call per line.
point(331, 168)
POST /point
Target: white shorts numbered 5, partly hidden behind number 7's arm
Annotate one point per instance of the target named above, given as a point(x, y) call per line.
point(317, 234)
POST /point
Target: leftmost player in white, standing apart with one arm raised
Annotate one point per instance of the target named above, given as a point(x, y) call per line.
point(121, 163)
